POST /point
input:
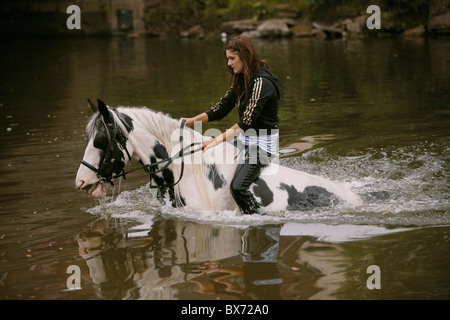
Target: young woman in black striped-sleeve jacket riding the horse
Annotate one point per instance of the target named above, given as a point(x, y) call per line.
point(255, 93)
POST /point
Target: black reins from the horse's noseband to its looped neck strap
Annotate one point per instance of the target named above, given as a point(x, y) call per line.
point(148, 168)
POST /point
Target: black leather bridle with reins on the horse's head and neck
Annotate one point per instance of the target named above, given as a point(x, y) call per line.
point(117, 137)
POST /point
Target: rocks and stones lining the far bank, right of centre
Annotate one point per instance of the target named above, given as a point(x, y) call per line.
point(358, 22)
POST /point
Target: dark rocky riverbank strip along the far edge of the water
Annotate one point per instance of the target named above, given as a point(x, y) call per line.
point(259, 19)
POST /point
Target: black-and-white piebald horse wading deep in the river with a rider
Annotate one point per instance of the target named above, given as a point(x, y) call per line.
point(182, 173)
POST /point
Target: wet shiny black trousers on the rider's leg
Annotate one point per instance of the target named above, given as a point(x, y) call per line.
point(246, 173)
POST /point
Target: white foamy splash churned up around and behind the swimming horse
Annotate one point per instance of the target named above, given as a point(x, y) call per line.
point(401, 187)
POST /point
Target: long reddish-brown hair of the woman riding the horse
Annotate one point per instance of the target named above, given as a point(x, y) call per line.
point(243, 47)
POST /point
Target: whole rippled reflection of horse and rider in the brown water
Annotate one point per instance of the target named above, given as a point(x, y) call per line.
point(176, 260)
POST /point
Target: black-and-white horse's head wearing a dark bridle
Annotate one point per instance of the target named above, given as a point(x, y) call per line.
point(107, 150)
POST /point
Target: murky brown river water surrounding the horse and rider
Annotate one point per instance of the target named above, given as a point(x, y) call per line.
point(374, 115)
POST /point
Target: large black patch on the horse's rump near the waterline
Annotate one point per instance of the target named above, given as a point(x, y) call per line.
point(312, 197)
